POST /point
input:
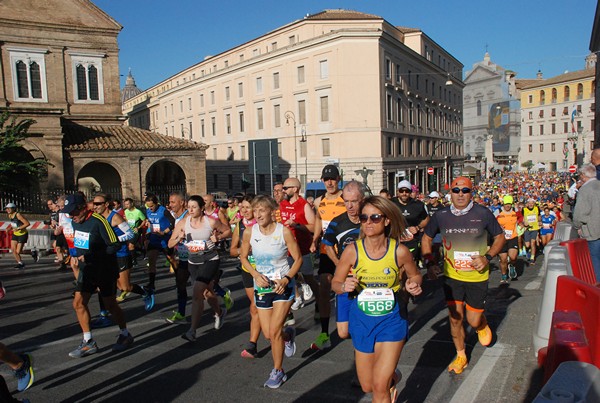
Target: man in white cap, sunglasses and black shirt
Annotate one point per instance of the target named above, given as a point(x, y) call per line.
point(415, 214)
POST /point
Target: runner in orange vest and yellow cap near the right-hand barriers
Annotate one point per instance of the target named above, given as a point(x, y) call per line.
point(508, 219)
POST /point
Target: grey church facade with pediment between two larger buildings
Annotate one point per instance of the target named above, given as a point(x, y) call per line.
point(491, 117)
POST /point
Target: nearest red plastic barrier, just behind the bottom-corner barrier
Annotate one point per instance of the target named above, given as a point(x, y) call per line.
point(567, 342)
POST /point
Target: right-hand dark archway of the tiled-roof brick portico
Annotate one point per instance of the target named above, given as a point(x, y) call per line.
point(163, 178)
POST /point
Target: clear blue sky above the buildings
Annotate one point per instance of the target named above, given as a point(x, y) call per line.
point(521, 35)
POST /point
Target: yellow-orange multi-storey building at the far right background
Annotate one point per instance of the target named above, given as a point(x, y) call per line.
point(557, 114)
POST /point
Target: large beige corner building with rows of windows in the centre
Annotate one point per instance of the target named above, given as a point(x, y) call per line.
point(338, 86)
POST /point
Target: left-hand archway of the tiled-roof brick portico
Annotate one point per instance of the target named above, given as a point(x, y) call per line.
point(99, 177)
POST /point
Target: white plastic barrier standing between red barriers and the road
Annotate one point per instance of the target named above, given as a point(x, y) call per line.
point(556, 263)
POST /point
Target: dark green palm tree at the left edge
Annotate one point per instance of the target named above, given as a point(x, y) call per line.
point(17, 168)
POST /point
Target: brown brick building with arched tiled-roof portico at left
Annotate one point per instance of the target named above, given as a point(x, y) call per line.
point(59, 66)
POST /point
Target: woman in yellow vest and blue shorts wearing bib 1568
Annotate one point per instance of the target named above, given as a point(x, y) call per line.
point(378, 328)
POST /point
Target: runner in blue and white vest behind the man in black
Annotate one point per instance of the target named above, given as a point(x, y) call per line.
point(102, 205)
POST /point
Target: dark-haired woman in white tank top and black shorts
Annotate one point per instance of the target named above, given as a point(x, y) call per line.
point(200, 234)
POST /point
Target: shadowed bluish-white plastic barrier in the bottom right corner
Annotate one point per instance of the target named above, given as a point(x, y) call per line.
point(573, 381)
